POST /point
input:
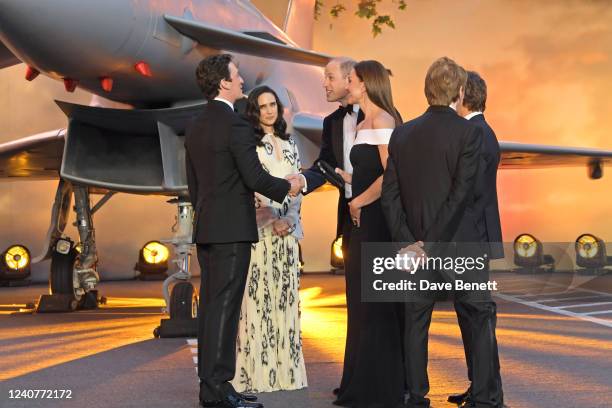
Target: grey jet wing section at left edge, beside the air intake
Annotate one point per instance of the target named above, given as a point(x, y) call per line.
point(37, 157)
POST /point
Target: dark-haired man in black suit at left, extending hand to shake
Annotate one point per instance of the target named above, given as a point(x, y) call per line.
point(223, 170)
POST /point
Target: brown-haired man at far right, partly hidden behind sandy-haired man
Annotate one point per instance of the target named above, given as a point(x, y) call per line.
point(472, 108)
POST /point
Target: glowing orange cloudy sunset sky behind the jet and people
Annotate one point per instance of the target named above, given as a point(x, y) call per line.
point(549, 73)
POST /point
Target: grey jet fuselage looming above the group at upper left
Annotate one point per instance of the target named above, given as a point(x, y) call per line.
point(86, 41)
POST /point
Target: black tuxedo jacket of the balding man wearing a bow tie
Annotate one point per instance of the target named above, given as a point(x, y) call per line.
point(332, 151)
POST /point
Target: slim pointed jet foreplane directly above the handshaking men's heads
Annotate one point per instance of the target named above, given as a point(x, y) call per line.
point(250, 44)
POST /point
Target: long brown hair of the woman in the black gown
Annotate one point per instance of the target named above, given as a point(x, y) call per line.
point(378, 86)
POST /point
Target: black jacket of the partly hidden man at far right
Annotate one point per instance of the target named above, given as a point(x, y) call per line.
point(487, 203)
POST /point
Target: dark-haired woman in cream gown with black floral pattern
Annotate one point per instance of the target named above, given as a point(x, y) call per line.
point(269, 347)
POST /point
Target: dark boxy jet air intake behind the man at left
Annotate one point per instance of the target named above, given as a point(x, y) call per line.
point(135, 151)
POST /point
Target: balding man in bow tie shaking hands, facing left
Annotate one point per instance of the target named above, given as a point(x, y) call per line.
point(339, 130)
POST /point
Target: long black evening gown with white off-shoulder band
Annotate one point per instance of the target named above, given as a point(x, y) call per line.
point(373, 374)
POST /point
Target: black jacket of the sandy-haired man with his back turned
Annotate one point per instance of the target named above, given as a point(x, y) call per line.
point(430, 181)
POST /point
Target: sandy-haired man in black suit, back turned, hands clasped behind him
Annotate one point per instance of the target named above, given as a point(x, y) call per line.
point(428, 196)
